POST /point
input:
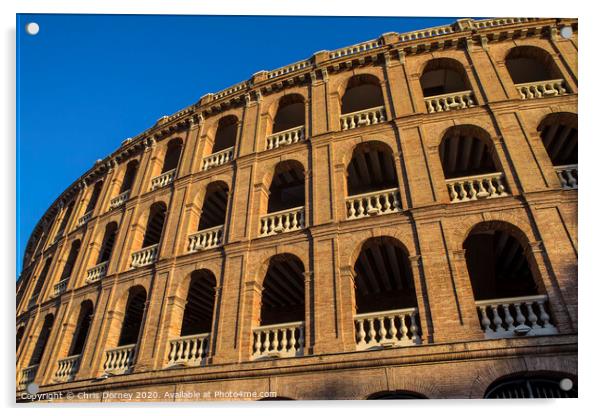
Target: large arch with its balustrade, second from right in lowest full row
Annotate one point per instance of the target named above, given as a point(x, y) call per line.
point(385, 296)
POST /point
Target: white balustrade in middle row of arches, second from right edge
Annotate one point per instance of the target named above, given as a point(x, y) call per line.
point(471, 188)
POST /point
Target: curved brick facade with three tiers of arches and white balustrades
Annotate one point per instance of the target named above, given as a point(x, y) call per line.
point(397, 218)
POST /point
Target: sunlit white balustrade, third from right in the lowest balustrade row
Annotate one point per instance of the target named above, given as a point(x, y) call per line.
point(282, 340)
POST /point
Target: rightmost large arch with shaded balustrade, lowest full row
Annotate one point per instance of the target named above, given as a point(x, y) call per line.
point(509, 301)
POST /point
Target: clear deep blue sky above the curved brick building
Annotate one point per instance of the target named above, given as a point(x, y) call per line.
point(87, 82)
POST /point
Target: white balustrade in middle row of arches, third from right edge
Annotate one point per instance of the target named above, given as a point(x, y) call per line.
point(373, 203)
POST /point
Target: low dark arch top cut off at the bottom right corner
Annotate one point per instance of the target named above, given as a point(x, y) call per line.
point(533, 386)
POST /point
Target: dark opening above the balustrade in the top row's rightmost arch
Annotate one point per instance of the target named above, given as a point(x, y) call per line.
point(527, 64)
